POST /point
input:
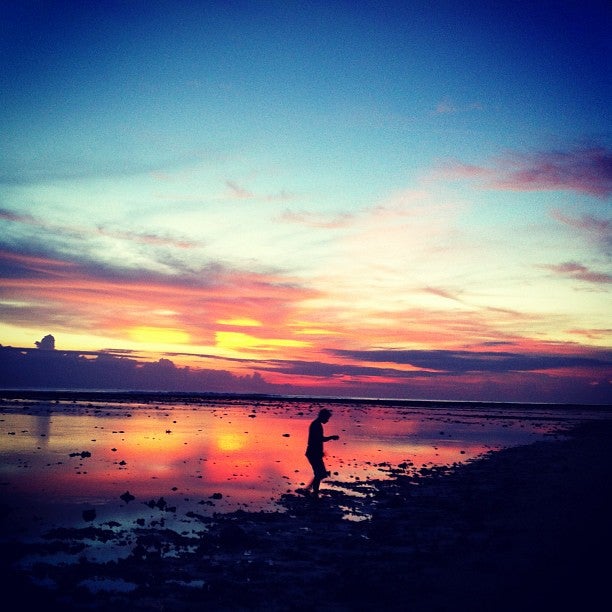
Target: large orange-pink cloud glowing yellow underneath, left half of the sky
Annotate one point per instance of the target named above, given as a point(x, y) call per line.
point(154, 308)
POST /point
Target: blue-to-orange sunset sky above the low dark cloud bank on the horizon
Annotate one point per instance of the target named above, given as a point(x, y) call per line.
point(376, 199)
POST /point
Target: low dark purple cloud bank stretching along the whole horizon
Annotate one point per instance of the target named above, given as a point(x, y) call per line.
point(459, 376)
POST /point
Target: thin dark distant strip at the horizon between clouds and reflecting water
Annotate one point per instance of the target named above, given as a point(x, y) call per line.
point(126, 395)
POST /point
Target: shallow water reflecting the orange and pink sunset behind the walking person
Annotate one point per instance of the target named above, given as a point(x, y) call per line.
point(58, 459)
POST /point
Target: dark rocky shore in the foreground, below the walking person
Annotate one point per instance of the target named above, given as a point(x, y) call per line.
point(529, 528)
